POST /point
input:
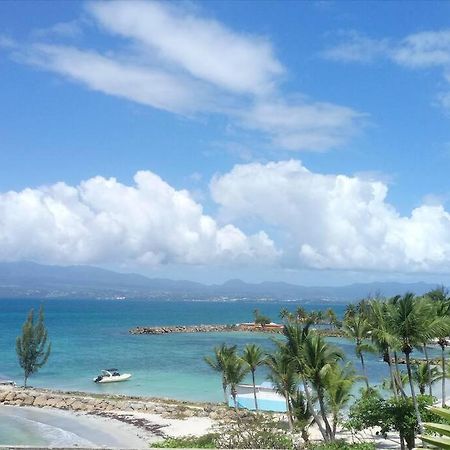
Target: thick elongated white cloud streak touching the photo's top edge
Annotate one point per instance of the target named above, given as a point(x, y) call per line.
point(203, 47)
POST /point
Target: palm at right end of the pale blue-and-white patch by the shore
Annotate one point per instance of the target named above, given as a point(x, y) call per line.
point(284, 378)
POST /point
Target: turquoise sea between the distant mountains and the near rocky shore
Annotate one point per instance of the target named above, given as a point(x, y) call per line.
point(90, 335)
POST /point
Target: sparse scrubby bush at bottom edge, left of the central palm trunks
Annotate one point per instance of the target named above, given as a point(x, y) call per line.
point(253, 432)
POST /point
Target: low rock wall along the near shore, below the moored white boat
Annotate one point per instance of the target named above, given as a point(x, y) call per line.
point(104, 404)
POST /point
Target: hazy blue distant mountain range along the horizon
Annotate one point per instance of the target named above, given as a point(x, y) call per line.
point(32, 280)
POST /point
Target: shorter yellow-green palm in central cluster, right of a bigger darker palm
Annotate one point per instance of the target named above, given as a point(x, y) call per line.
point(340, 381)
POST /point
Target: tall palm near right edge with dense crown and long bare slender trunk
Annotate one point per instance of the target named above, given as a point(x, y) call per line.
point(410, 328)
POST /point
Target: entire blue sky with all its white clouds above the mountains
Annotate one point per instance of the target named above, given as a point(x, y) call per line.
point(306, 142)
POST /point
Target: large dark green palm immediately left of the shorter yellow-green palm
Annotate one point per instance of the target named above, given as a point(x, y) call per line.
point(318, 358)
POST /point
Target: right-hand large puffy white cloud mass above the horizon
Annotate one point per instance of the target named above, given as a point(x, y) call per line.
point(335, 221)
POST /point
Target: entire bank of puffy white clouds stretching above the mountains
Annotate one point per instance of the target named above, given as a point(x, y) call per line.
point(306, 220)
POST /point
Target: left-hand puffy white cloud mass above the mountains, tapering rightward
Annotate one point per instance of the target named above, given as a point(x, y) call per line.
point(102, 220)
